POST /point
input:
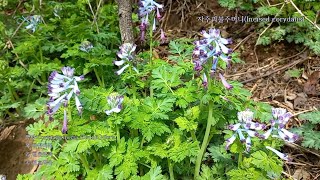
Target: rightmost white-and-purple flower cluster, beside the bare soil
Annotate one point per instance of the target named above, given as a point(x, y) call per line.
point(278, 125)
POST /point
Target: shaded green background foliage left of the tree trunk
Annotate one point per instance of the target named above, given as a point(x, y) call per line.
point(55, 43)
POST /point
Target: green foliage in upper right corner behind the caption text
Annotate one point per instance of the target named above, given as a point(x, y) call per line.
point(298, 31)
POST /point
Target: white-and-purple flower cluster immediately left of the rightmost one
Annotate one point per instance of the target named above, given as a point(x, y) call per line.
point(245, 125)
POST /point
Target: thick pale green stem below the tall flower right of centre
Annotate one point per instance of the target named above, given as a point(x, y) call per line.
point(205, 141)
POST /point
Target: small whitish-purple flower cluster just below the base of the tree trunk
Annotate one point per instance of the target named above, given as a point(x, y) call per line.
point(126, 55)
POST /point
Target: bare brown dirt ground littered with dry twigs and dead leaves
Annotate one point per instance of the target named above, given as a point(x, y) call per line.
point(263, 74)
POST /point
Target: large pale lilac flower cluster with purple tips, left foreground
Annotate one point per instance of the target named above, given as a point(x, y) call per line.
point(58, 86)
